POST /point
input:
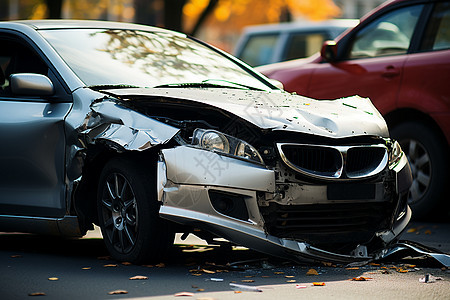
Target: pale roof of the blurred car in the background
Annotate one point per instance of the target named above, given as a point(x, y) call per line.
point(301, 25)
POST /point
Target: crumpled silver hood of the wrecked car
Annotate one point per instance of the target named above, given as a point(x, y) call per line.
point(276, 110)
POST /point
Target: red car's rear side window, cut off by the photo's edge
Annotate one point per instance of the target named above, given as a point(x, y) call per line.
point(437, 34)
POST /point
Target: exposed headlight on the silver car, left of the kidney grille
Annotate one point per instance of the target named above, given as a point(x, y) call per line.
point(219, 142)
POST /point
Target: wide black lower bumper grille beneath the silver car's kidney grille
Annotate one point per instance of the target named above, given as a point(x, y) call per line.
point(326, 224)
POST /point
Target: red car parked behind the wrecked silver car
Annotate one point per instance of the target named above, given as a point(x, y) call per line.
point(399, 57)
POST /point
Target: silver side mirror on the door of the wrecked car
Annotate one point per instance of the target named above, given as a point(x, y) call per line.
point(31, 84)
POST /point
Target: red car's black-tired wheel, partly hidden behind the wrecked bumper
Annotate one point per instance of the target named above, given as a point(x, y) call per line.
point(427, 156)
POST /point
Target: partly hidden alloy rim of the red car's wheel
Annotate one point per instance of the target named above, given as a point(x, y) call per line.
point(420, 163)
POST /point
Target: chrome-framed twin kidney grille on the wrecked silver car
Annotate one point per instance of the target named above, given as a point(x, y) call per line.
point(335, 162)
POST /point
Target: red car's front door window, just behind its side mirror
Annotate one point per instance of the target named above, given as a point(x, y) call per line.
point(388, 35)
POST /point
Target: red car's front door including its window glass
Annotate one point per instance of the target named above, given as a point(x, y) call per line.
point(373, 61)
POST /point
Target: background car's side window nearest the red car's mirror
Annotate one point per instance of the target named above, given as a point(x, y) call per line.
point(304, 44)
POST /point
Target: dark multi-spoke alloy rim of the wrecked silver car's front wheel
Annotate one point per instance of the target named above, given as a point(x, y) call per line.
point(120, 214)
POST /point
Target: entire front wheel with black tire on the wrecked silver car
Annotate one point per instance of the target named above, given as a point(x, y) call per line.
point(128, 213)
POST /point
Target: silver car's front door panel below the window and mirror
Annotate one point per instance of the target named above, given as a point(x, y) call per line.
point(32, 156)
